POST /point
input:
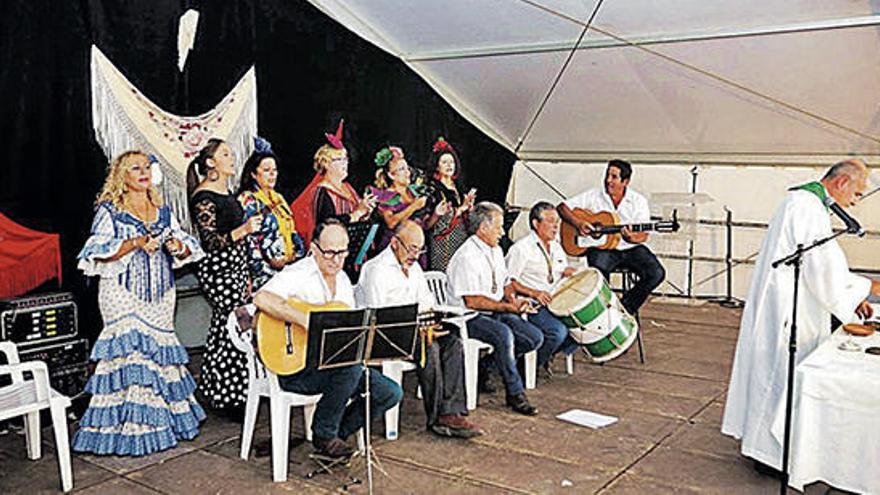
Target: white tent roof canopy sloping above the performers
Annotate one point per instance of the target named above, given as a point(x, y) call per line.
point(683, 77)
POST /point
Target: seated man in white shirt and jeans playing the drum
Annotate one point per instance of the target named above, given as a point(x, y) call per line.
point(535, 264)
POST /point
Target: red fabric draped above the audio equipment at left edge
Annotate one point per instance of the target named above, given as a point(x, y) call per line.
point(27, 258)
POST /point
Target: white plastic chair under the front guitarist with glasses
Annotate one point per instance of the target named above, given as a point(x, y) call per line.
point(264, 383)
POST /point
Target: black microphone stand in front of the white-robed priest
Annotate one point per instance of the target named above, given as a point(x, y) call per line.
point(794, 259)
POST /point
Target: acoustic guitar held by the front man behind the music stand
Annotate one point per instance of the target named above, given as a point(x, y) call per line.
point(283, 346)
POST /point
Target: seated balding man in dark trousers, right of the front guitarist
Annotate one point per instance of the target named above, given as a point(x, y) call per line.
point(394, 278)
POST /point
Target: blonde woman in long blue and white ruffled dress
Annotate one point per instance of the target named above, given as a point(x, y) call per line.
point(142, 394)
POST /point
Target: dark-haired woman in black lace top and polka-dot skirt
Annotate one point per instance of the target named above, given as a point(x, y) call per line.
point(224, 273)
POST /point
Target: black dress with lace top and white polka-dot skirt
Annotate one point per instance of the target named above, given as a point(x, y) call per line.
point(224, 275)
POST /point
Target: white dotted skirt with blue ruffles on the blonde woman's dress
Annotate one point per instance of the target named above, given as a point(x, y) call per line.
point(142, 394)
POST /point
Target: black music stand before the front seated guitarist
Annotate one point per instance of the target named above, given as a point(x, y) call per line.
point(365, 337)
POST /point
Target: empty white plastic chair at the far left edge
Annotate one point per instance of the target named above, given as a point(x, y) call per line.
point(27, 398)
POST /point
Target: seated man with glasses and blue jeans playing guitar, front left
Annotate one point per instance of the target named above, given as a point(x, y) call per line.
point(319, 279)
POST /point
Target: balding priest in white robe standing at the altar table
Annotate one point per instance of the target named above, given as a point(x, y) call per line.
point(756, 396)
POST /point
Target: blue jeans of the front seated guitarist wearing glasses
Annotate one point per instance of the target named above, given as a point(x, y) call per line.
point(333, 418)
